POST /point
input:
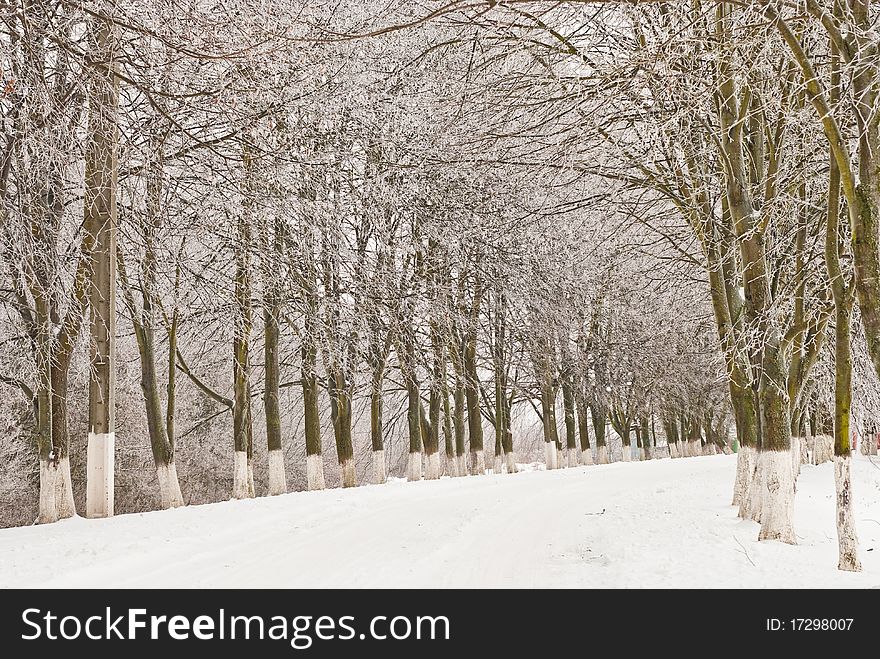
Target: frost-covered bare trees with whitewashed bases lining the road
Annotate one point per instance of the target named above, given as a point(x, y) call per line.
point(412, 229)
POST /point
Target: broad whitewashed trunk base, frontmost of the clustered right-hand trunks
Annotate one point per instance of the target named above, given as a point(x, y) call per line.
point(777, 489)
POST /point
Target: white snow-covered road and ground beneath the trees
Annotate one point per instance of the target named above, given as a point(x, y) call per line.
point(666, 523)
